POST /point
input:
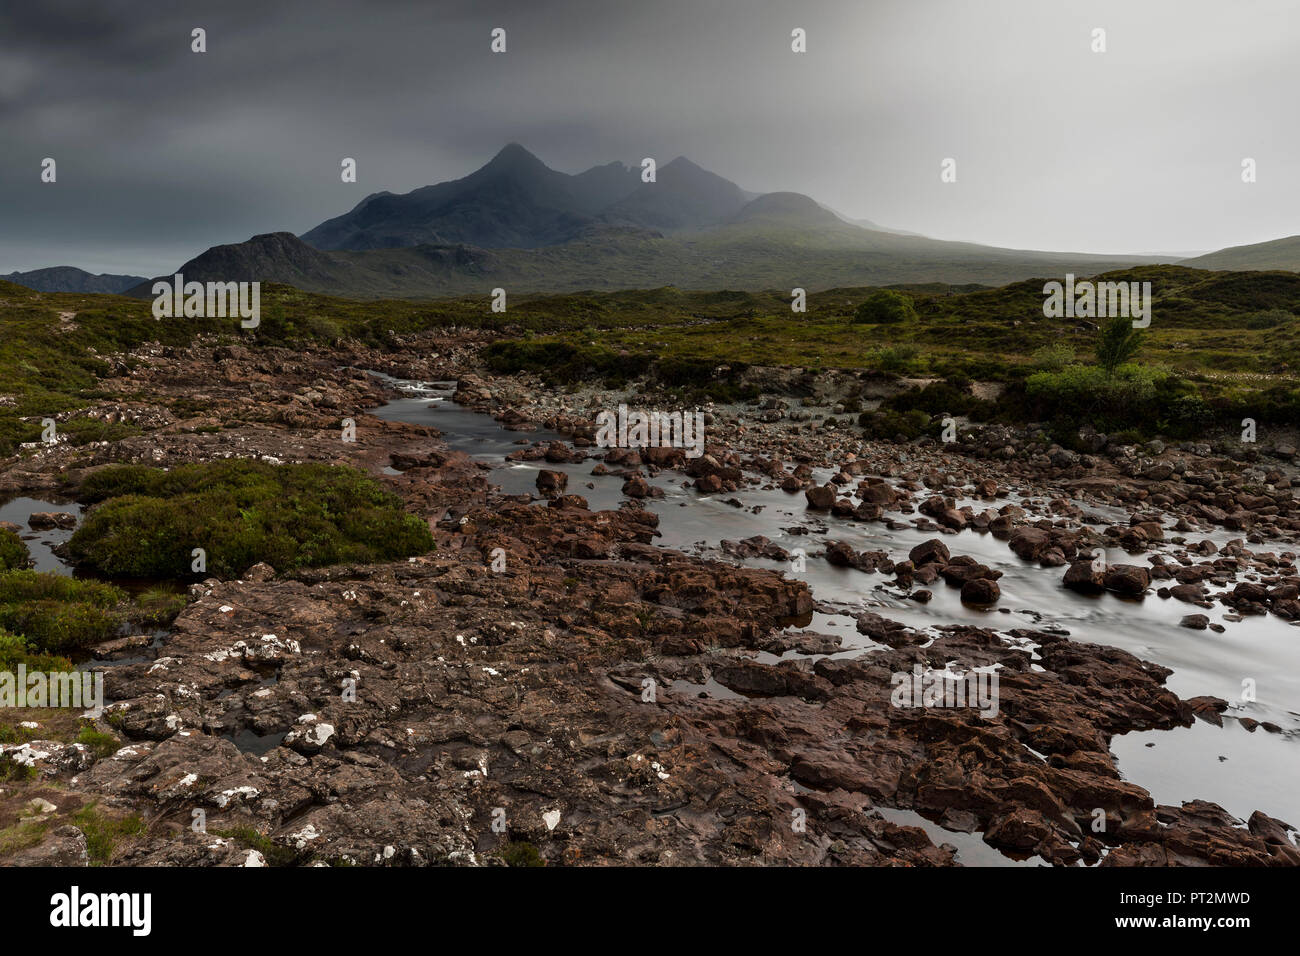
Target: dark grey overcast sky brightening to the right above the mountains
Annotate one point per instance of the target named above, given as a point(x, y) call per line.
point(163, 153)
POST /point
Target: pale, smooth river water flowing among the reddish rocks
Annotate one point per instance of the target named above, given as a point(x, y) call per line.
point(1238, 769)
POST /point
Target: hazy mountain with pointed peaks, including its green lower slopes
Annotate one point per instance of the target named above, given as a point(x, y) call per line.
point(519, 224)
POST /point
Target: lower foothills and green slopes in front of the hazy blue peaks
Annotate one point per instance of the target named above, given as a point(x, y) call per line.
point(773, 246)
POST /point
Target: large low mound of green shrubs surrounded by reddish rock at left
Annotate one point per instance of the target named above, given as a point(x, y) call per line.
point(241, 513)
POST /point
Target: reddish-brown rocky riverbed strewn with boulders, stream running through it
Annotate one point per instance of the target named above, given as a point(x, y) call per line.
point(577, 673)
